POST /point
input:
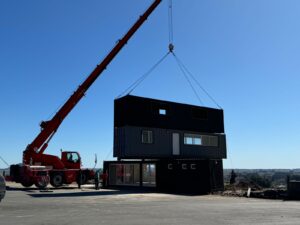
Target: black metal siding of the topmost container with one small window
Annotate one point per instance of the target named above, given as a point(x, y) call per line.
point(144, 112)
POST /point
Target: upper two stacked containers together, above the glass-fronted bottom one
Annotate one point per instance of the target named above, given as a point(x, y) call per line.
point(153, 129)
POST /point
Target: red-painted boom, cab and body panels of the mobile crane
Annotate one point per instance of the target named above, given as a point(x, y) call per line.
point(34, 152)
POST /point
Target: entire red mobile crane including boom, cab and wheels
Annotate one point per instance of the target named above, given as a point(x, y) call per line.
point(38, 168)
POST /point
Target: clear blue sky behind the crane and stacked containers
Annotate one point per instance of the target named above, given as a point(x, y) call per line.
point(245, 53)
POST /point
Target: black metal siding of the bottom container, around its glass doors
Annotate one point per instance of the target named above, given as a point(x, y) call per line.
point(182, 176)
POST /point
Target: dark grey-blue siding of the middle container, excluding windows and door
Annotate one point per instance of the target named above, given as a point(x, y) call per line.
point(128, 145)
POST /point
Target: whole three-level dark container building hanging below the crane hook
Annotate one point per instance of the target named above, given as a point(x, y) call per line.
point(169, 146)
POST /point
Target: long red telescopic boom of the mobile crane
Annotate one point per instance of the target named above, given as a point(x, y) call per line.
point(48, 128)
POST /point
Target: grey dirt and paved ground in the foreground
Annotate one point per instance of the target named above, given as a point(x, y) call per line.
point(112, 207)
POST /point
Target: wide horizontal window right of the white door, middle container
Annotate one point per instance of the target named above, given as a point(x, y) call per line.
point(204, 140)
